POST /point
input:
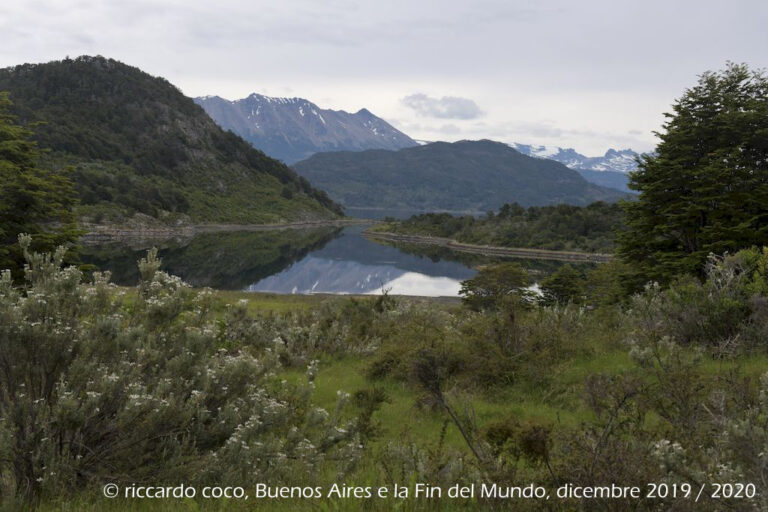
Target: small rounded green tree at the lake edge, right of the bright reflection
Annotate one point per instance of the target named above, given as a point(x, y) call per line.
point(493, 284)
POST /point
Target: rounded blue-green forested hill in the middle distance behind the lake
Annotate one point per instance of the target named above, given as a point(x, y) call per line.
point(467, 175)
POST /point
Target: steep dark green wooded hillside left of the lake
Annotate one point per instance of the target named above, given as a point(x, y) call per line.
point(139, 145)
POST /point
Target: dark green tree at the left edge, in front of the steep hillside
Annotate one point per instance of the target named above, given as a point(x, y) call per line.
point(32, 200)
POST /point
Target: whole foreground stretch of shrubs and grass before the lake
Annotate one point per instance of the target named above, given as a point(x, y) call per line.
point(166, 383)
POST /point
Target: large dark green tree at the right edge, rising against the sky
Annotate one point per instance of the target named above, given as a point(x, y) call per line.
point(706, 188)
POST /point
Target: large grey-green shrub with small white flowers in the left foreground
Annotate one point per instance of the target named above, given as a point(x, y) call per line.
point(96, 386)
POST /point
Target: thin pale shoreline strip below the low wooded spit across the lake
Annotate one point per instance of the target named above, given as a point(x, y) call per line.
point(490, 250)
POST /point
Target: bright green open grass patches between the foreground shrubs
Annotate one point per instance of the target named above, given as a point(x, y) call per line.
point(558, 403)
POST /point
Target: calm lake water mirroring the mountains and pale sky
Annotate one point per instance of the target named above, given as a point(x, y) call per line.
point(327, 260)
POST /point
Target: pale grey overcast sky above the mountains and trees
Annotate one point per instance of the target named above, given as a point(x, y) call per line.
point(585, 74)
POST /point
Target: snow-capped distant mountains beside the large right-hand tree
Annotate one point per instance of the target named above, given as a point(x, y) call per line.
point(609, 170)
